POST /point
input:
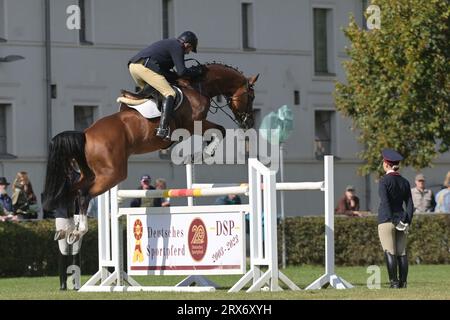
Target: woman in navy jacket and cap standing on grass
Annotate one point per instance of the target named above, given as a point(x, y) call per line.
point(394, 218)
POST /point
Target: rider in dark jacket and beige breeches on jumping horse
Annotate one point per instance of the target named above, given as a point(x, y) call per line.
point(153, 65)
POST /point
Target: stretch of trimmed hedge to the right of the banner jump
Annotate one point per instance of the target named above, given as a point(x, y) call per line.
point(357, 243)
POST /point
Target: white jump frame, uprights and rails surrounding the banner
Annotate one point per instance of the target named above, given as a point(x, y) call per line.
point(262, 209)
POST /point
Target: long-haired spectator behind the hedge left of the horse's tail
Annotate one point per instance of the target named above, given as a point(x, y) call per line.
point(23, 199)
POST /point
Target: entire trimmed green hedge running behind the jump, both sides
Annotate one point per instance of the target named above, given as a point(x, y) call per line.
point(28, 248)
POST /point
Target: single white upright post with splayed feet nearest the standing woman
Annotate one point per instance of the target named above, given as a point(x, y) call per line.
point(330, 277)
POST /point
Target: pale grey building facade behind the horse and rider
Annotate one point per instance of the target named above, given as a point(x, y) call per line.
point(74, 78)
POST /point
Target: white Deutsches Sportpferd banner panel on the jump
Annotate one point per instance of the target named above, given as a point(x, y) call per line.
point(186, 244)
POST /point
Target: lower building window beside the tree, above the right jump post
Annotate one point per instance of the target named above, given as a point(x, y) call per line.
point(324, 127)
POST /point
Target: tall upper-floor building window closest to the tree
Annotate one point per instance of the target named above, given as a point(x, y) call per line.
point(323, 41)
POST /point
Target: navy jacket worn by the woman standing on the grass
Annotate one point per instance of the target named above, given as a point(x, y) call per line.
point(394, 191)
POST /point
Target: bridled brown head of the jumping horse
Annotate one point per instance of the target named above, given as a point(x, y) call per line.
point(241, 103)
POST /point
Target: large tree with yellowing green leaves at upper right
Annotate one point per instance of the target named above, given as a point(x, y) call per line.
point(398, 82)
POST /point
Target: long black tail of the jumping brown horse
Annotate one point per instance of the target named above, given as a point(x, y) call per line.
point(64, 147)
